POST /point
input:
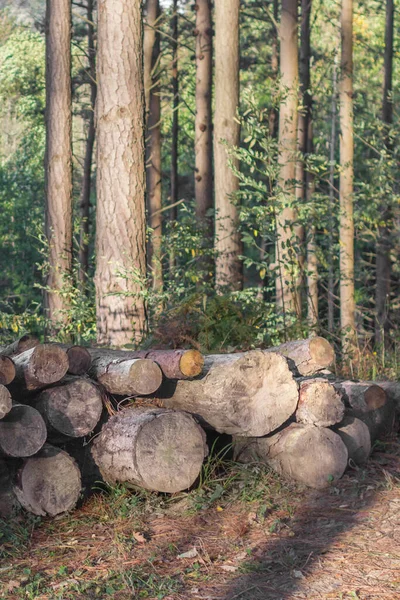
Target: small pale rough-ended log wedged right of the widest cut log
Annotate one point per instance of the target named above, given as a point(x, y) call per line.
point(319, 403)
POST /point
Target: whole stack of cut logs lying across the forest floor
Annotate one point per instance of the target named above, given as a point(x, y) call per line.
point(143, 416)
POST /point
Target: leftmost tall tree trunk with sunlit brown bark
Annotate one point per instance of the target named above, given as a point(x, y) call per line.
point(58, 158)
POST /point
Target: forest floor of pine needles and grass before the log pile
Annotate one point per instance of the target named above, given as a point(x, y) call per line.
point(243, 535)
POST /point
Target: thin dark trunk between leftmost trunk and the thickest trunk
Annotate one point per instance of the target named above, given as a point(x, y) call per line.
point(87, 165)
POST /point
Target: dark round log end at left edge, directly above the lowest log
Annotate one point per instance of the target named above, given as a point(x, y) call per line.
point(22, 432)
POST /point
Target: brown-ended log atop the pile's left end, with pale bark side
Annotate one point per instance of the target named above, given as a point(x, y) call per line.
point(40, 366)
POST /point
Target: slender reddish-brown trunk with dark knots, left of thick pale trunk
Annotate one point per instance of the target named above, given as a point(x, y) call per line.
point(203, 132)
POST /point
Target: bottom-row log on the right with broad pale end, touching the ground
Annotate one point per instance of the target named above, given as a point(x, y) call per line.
point(311, 455)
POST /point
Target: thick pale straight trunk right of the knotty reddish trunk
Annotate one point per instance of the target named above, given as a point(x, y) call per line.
point(228, 268)
